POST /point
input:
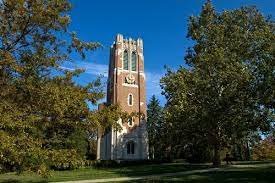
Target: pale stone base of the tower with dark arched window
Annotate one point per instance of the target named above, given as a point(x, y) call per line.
point(124, 145)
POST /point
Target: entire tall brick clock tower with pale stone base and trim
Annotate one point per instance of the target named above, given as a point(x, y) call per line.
point(126, 87)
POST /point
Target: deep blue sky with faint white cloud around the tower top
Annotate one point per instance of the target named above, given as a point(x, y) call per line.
point(162, 24)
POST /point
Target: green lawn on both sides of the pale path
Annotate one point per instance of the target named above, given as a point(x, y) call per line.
point(239, 172)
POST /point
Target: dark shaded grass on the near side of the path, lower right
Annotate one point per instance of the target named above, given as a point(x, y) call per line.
point(259, 173)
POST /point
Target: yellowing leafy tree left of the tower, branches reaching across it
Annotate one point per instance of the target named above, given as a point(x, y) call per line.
point(41, 114)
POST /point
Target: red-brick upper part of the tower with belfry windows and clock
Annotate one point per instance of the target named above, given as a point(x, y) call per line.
point(126, 81)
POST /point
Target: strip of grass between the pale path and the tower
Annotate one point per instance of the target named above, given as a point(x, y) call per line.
point(92, 173)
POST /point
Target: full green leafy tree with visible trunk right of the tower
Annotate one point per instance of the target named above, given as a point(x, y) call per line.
point(220, 97)
